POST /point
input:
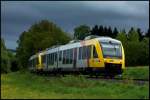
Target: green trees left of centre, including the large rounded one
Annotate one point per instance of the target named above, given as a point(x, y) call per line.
point(40, 36)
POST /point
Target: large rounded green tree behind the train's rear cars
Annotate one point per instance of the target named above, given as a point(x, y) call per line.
point(40, 36)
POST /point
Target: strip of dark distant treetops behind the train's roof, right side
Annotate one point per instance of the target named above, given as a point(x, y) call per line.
point(82, 31)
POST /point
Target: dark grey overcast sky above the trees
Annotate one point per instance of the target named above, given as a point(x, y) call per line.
point(18, 16)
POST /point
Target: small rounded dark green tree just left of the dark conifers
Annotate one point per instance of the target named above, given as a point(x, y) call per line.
point(81, 32)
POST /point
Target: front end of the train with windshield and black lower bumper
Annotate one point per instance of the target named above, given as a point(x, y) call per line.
point(113, 54)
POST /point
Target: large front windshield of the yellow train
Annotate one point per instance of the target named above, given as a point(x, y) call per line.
point(111, 50)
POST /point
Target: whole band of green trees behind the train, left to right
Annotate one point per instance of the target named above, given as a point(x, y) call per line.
point(45, 34)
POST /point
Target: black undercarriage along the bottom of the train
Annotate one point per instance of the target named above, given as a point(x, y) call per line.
point(110, 70)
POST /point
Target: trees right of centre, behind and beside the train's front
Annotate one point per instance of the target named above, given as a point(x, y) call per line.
point(135, 42)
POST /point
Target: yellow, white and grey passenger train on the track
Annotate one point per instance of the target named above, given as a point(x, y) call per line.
point(94, 55)
